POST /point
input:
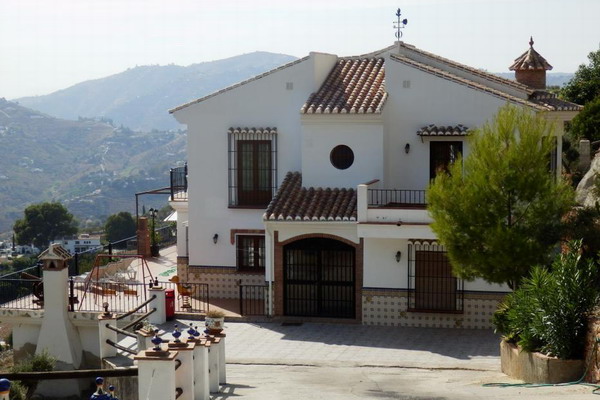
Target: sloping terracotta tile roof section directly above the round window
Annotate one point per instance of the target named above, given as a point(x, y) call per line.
point(354, 86)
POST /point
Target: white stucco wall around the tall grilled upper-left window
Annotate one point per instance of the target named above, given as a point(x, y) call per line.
point(265, 102)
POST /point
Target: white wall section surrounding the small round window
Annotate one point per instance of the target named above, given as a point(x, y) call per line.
point(320, 134)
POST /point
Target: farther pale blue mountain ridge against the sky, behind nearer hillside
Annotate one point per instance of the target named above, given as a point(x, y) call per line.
point(140, 97)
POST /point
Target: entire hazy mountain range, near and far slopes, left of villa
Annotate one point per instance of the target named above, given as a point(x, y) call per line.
point(77, 145)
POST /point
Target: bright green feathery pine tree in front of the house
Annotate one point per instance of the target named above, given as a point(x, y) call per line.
point(500, 213)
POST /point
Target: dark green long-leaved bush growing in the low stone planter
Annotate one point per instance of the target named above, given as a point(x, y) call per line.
point(548, 313)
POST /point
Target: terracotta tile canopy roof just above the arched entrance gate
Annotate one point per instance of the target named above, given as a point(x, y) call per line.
point(296, 203)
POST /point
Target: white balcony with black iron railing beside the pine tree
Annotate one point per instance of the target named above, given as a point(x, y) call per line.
point(392, 213)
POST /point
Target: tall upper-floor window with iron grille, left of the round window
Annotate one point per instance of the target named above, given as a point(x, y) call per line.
point(252, 166)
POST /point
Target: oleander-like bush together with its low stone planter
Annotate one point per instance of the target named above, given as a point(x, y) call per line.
point(544, 321)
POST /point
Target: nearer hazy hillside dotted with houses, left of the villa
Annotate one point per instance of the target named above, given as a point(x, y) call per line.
point(94, 168)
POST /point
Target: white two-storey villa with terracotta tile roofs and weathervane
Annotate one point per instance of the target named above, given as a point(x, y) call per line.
point(310, 180)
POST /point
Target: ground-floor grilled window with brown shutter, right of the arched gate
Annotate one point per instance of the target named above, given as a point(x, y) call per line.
point(432, 286)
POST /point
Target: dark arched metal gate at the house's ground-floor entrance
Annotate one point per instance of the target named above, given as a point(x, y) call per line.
point(319, 279)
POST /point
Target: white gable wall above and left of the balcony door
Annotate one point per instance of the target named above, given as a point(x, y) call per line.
point(428, 100)
